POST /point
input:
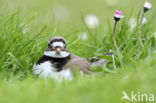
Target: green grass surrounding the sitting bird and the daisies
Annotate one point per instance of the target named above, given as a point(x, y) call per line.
point(25, 27)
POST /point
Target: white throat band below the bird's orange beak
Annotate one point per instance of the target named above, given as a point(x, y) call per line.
point(62, 54)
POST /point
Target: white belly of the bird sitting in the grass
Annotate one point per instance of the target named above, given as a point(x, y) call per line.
point(46, 70)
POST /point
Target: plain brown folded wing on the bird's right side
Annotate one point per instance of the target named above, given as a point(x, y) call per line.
point(78, 63)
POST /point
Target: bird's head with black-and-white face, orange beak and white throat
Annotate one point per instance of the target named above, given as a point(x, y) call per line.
point(57, 48)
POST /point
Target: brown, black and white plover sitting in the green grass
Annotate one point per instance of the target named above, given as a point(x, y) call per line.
point(58, 63)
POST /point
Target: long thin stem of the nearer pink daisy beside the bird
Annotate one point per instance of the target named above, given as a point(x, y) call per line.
point(115, 44)
